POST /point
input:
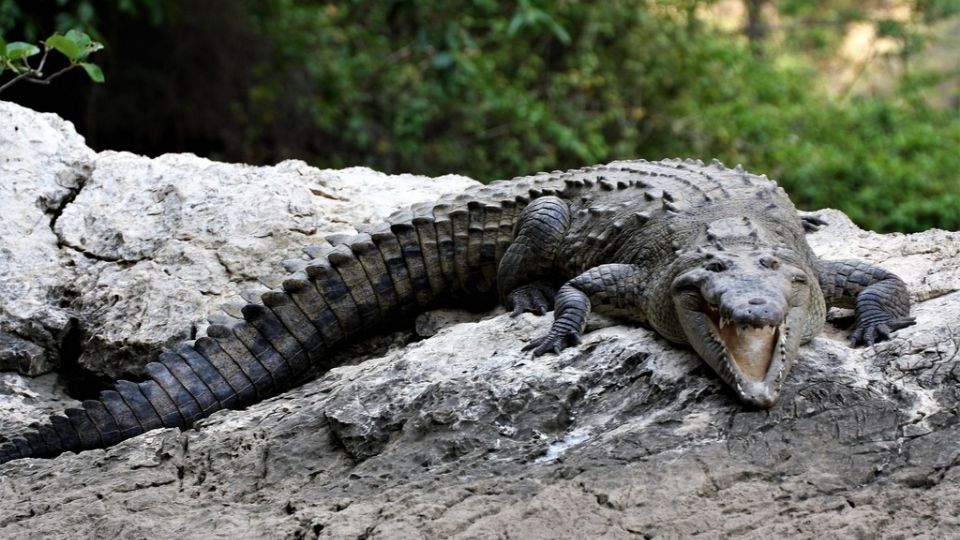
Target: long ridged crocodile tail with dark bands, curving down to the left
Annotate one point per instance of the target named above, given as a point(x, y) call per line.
point(342, 291)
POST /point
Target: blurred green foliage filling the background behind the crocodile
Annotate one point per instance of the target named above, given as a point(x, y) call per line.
point(495, 89)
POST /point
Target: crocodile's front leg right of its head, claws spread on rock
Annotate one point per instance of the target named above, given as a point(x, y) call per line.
point(879, 298)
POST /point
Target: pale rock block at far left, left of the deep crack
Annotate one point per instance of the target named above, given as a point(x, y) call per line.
point(43, 163)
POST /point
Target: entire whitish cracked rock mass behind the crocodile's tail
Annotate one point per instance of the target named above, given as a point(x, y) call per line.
point(137, 251)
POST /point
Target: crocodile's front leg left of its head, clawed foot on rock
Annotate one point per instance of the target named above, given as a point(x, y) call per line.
point(612, 288)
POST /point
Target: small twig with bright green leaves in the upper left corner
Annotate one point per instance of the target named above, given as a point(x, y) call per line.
point(74, 45)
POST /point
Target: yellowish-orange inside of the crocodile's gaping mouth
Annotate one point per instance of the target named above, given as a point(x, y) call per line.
point(751, 348)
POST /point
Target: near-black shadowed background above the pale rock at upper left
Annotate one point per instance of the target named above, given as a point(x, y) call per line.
point(171, 87)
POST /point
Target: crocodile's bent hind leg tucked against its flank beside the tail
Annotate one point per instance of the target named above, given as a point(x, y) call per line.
point(523, 276)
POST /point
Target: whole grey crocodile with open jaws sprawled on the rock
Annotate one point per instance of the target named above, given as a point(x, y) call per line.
point(709, 257)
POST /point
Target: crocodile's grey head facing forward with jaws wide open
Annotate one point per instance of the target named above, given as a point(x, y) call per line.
point(744, 308)
